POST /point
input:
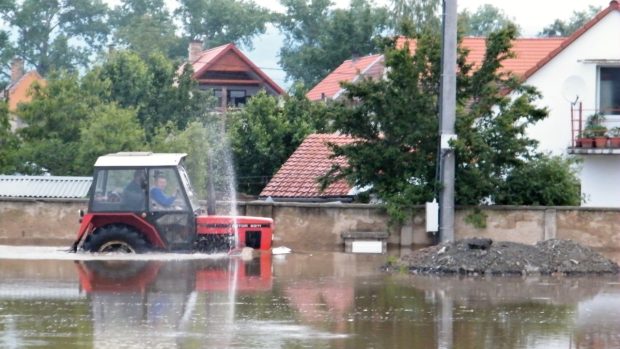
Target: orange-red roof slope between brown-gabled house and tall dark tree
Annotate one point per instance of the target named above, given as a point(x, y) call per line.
point(348, 71)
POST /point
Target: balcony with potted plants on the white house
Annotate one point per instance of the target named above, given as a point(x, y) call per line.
point(594, 131)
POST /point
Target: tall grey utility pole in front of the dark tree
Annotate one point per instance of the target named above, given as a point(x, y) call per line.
point(447, 116)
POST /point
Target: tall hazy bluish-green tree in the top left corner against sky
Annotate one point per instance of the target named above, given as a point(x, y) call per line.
point(55, 34)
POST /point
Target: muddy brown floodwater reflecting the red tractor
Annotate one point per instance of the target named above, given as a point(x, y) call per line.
point(306, 299)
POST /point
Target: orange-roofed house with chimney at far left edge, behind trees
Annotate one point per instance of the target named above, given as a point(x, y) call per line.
point(17, 91)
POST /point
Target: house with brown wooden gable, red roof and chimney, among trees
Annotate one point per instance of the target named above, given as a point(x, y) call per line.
point(229, 73)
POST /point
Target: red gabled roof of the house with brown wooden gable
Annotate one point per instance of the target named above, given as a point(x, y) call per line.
point(212, 57)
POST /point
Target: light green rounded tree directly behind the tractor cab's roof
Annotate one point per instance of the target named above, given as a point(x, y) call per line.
point(108, 129)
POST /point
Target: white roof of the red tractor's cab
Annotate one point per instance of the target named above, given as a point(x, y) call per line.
point(139, 159)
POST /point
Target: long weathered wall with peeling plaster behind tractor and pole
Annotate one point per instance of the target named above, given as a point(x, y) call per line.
point(309, 225)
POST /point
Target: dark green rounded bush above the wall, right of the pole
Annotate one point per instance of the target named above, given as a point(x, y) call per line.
point(544, 180)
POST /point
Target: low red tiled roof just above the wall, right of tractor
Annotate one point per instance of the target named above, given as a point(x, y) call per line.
point(297, 178)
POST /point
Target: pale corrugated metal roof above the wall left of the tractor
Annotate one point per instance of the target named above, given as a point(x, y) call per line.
point(44, 187)
